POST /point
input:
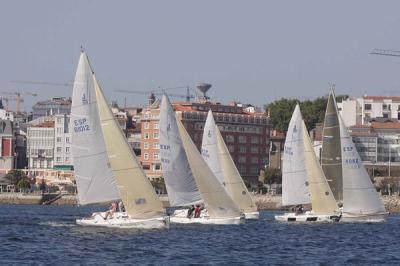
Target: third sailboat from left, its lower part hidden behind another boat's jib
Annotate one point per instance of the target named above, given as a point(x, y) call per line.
point(218, 158)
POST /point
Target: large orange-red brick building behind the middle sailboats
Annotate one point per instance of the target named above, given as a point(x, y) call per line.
point(246, 134)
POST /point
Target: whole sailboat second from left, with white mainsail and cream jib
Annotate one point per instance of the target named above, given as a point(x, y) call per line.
point(190, 166)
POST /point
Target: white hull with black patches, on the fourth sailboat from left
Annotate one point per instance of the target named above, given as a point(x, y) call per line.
point(307, 217)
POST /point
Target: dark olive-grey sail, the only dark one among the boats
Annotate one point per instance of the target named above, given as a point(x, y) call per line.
point(331, 158)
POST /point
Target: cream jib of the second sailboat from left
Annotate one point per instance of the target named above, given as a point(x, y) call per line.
point(216, 199)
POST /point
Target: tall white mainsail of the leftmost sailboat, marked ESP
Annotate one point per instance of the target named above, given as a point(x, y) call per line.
point(94, 179)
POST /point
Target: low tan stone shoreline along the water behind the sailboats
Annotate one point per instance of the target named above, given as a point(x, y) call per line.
point(263, 202)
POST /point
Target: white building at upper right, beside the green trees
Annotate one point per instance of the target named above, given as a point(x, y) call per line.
point(356, 111)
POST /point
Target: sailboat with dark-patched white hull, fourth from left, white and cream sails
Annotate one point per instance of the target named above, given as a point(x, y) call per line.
point(303, 179)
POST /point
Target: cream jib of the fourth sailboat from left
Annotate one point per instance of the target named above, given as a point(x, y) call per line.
point(322, 199)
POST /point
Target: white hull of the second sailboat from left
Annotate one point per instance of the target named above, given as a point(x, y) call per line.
point(180, 217)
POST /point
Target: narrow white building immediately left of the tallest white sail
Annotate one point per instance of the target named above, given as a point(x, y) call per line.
point(62, 142)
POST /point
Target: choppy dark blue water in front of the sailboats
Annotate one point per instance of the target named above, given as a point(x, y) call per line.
point(48, 235)
